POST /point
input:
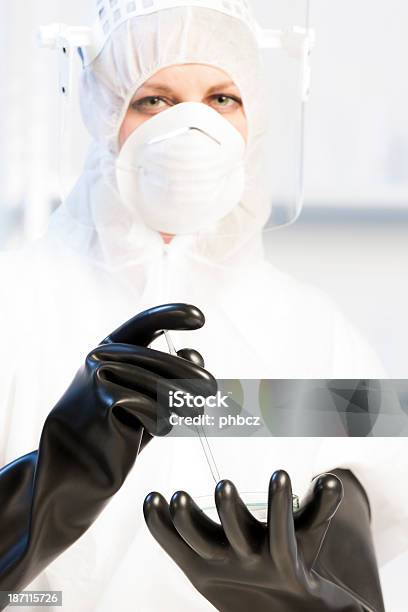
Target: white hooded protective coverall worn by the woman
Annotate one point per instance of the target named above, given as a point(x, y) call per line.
point(98, 266)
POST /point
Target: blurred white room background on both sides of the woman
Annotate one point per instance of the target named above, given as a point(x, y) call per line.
point(351, 239)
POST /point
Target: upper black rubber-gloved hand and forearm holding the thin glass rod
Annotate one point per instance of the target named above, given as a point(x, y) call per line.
point(90, 441)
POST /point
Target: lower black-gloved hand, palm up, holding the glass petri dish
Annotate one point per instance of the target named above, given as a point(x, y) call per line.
point(244, 564)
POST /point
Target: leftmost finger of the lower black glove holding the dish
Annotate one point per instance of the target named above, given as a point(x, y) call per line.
point(158, 519)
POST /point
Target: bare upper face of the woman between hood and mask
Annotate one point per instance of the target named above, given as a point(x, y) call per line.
point(185, 83)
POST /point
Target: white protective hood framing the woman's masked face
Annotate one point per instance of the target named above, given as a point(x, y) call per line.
point(94, 217)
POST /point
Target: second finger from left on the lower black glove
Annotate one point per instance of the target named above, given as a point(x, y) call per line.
point(202, 534)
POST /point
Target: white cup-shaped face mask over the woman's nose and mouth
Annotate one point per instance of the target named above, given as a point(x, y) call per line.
point(183, 169)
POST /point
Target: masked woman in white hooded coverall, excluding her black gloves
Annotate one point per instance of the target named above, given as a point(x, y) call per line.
point(105, 258)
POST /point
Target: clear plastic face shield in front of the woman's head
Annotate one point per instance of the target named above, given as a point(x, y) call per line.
point(188, 170)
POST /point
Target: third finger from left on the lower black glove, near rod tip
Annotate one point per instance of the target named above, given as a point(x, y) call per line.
point(241, 528)
